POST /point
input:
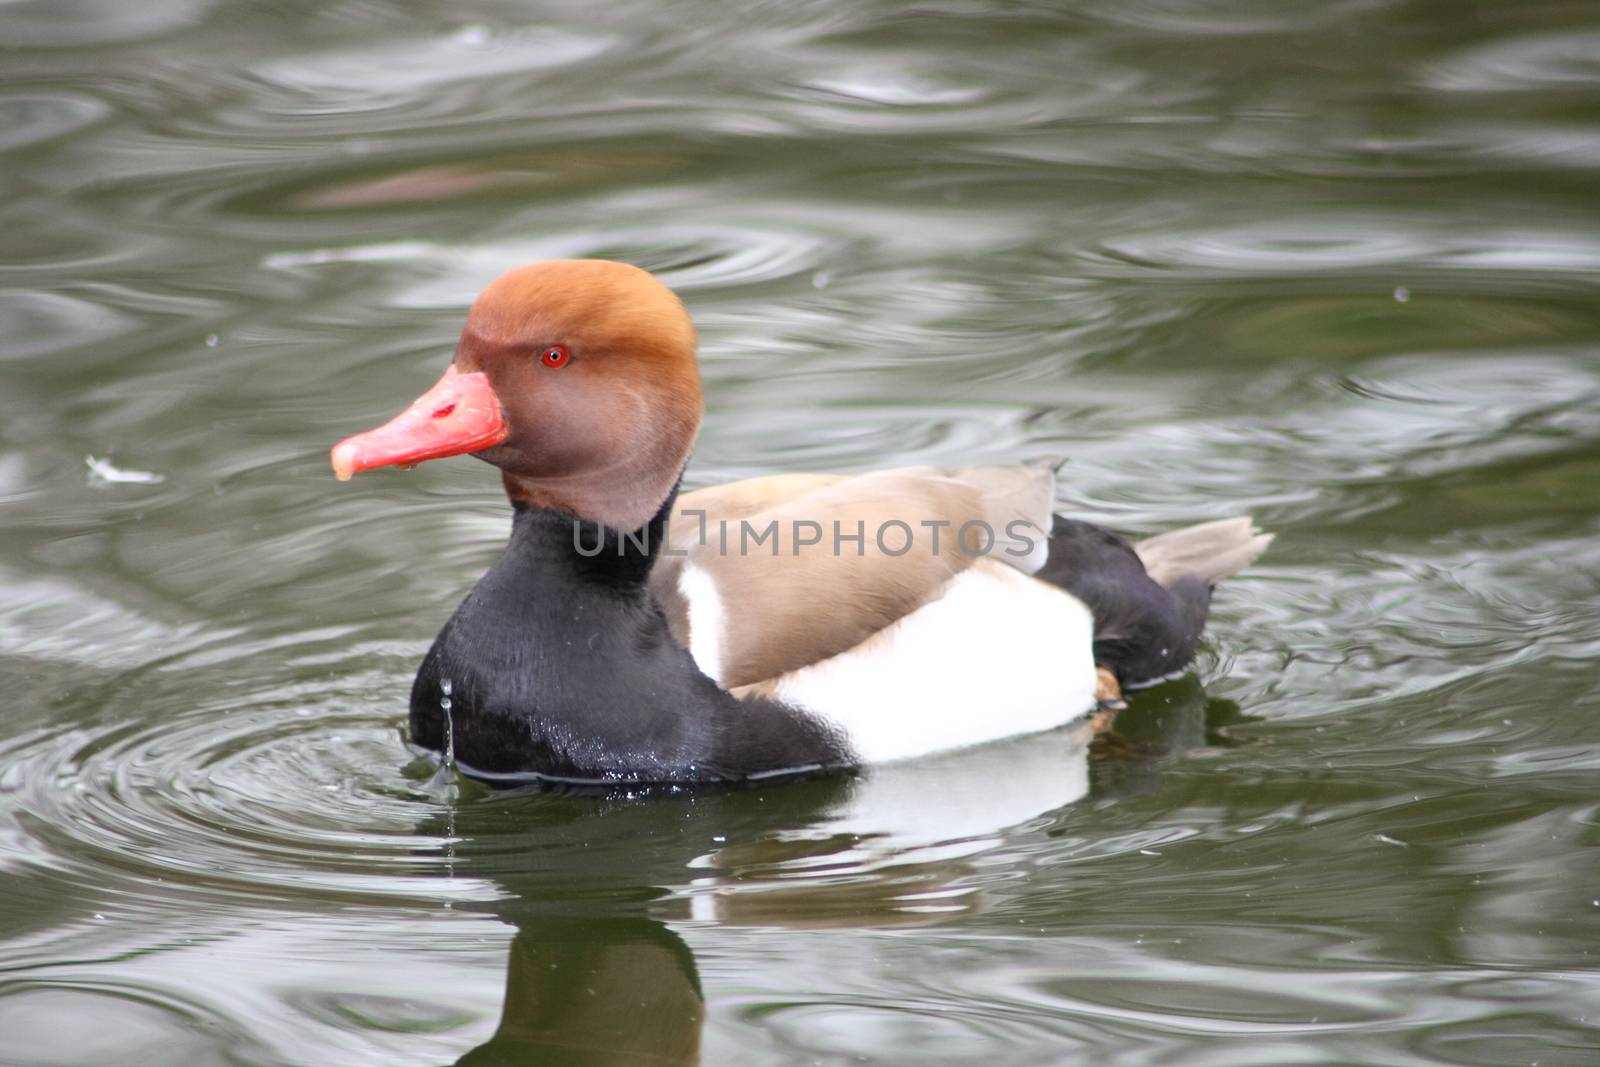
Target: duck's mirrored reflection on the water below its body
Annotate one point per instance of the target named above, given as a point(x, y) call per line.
point(598, 973)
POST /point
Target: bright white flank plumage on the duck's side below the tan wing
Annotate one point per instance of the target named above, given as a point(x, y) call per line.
point(996, 655)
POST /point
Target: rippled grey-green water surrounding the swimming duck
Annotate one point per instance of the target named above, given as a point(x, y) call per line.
point(1329, 263)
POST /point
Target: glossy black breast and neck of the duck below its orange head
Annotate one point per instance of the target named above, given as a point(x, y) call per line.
point(559, 666)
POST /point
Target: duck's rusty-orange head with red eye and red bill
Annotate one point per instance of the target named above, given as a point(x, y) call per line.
point(577, 378)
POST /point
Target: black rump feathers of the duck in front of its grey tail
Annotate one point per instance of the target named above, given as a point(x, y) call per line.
point(1143, 631)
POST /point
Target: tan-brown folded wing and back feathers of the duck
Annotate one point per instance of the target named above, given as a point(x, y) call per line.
point(786, 605)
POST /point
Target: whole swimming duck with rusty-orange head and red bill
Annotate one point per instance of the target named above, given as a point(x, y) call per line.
point(788, 625)
